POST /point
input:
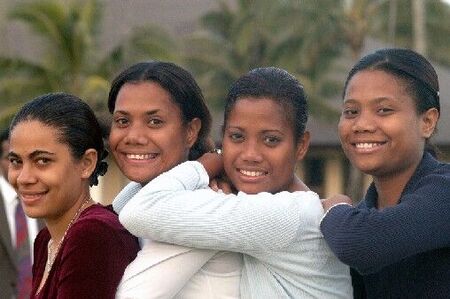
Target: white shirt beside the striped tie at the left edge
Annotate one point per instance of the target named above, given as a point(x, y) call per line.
point(10, 201)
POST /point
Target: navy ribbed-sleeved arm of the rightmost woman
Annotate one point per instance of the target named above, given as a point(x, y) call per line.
point(371, 239)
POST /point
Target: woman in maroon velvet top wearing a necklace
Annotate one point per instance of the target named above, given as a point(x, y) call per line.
point(55, 154)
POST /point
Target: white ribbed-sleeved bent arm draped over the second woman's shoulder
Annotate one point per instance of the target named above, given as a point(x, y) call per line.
point(166, 210)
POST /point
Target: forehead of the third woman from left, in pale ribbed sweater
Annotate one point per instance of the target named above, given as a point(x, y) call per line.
point(260, 113)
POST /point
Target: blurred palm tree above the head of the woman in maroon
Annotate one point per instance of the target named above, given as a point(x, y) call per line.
point(69, 33)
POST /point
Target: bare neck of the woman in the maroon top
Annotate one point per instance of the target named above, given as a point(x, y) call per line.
point(59, 226)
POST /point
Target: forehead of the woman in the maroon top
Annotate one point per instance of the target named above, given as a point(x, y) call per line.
point(31, 135)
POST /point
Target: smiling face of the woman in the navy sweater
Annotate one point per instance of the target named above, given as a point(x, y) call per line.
point(380, 131)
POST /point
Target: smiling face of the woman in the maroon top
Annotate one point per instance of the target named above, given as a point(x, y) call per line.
point(44, 173)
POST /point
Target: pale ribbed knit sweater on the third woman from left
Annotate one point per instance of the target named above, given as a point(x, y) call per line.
point(285, 255)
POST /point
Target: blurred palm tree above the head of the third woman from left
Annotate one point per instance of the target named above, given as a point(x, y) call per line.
point(298, 37)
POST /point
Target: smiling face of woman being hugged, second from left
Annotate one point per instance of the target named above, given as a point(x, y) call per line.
point(148, 135)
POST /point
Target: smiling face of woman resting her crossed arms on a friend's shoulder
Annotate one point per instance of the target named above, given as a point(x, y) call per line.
point(259, 151)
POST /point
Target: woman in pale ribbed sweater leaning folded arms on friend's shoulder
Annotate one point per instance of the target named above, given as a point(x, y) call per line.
point(270, 220)
